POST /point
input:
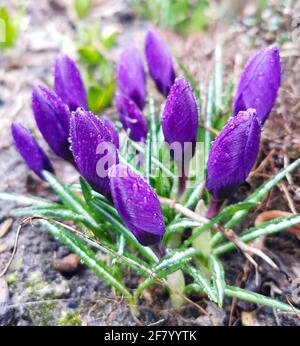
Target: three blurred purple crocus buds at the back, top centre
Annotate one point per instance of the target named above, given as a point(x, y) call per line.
point(131, 80)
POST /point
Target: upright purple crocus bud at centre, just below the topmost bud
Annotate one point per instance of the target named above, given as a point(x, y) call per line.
point(180, 115)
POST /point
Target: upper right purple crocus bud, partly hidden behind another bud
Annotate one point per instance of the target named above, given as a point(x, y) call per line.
point(259, 83)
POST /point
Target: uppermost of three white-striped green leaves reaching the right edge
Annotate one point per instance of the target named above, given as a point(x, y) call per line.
point(256, 196)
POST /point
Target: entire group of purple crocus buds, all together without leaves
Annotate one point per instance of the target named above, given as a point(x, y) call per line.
point(91, 143)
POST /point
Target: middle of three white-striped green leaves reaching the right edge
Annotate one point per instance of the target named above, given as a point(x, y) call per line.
point(265, 229)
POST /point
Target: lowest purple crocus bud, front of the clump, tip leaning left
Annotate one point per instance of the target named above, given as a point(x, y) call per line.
point(137, 204)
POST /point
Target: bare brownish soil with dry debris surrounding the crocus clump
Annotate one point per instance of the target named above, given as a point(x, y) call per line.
point(39, 295)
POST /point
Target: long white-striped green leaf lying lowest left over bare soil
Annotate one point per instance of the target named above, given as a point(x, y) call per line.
point(86, 255)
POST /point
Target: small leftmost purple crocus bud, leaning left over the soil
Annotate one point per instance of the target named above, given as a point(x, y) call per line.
point(29, 149)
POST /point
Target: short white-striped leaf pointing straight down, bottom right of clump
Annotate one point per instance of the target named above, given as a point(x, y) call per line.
point(218, 277)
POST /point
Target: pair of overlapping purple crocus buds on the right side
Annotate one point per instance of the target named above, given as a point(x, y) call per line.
point(235, 150)
